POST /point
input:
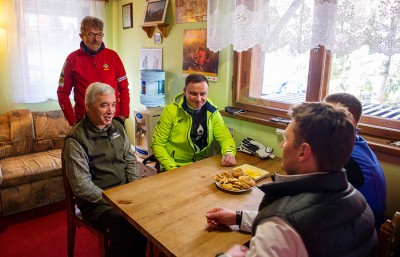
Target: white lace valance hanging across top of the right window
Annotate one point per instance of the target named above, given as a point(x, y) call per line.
point(342, 26)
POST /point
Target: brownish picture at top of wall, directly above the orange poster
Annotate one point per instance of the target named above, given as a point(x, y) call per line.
point(190, 11)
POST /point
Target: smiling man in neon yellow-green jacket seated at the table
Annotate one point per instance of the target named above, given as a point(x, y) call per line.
point(188, 127)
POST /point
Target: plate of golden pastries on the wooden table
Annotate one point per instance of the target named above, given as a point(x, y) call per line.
point(235, 182)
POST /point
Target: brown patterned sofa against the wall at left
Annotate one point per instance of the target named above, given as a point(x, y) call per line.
point(30, 159)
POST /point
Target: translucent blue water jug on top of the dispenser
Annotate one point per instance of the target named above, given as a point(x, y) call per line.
point(152, 93)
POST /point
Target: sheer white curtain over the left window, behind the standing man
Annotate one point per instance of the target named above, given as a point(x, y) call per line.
point(40, 35)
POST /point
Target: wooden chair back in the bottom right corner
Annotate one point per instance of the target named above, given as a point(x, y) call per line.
point(389, 237)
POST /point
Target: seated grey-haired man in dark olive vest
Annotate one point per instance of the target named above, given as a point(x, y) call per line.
point(98, 156)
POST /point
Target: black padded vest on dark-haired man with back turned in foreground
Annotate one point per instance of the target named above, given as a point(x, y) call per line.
point(332, 217)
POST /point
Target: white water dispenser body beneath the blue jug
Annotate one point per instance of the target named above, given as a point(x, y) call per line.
point(145, 122)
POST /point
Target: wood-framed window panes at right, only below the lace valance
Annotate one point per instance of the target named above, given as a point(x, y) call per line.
point(271, 83)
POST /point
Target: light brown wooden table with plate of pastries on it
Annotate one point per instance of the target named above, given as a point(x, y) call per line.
point(169, 208)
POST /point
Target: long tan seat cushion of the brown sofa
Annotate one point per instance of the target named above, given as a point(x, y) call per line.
point(28, 168)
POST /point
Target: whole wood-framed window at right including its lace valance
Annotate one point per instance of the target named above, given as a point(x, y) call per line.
point(285, 28)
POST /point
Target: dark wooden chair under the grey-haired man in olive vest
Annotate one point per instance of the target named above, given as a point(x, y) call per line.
point(74, 220)
